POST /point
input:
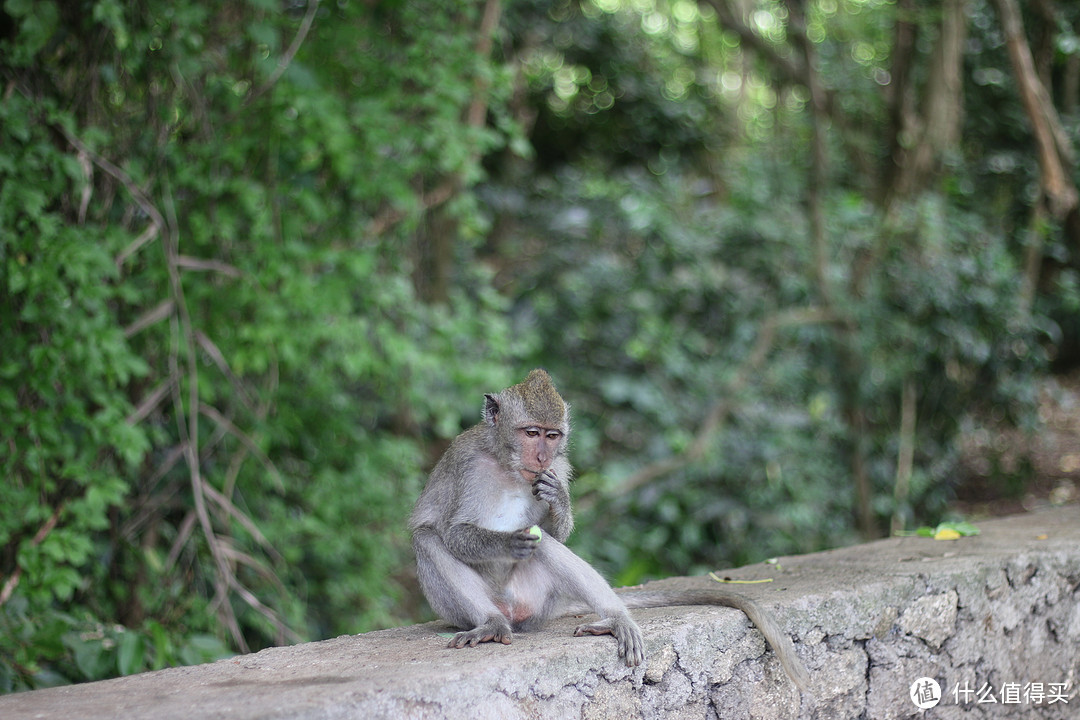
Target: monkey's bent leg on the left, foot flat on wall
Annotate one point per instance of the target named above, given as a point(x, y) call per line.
point(457, 593)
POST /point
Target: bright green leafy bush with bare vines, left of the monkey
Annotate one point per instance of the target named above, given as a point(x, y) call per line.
point(220, 377)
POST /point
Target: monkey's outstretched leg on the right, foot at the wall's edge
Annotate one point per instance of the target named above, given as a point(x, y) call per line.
point(582, 582)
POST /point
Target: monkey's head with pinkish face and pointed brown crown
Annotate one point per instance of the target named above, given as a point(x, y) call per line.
point(531, 424)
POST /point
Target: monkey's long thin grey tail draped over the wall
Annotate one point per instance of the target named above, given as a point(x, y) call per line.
point(778, 640)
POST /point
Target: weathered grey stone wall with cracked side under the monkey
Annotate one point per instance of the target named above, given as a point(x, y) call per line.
point(997, 616)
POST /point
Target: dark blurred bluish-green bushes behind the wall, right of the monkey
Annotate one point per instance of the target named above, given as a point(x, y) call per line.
point(670, 296)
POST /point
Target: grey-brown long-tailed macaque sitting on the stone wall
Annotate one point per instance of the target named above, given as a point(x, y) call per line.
point(482, 566)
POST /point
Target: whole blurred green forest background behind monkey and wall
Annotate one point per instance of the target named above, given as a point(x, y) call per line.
point(807, 270)
